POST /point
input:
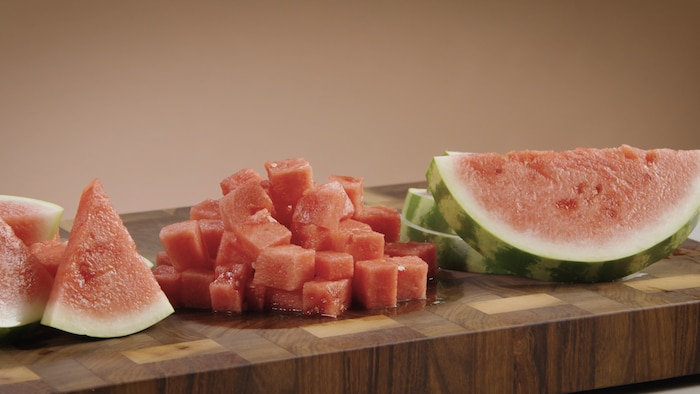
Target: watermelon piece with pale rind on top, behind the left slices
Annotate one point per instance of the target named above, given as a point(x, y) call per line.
point(32, 220)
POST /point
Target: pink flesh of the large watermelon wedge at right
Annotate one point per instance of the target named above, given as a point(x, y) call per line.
point(579, 196)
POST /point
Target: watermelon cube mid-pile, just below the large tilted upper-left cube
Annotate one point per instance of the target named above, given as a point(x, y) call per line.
point(253, 238)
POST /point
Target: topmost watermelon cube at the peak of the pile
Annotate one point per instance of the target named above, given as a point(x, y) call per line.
point(289, 179)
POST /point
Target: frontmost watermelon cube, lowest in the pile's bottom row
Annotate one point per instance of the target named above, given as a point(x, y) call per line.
point(327, 298)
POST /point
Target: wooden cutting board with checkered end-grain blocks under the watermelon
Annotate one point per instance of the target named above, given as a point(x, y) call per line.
point(475, 333)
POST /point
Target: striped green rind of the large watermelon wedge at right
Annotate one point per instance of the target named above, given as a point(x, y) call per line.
point(525, 264)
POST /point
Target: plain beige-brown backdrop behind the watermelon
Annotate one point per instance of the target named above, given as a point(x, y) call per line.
point(163, 99)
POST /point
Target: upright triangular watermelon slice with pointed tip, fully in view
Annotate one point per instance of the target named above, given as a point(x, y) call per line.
point(103, 288)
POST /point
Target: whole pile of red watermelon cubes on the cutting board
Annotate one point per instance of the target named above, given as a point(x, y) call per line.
point(285, 242)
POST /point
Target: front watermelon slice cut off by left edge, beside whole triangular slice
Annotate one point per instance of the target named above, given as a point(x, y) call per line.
point(24, 284)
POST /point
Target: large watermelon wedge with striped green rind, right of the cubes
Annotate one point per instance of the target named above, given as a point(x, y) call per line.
point(583, 215)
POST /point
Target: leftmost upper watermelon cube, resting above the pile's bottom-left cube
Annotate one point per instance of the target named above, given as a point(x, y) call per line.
point(183, 243)
